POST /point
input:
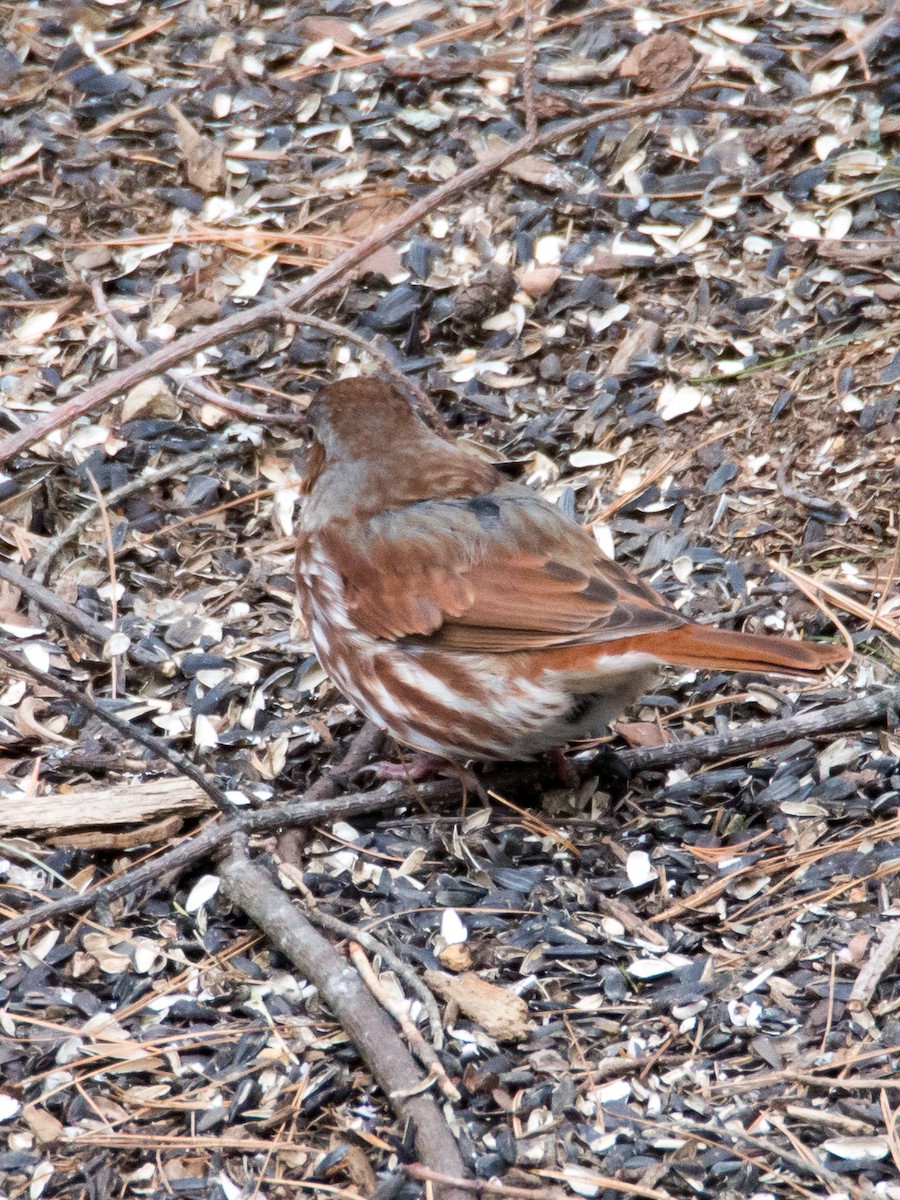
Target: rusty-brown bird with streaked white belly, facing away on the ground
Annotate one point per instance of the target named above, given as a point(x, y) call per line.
point(467, 616)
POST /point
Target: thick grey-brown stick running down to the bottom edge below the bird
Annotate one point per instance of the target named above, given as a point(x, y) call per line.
point(365, 1023)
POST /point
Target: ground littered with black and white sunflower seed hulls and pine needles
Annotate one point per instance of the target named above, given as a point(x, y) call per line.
point(681, 325)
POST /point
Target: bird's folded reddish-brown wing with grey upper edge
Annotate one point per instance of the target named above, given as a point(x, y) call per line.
point(499, 573)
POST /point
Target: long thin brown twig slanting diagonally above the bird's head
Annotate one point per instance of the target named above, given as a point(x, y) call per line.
point(326, 281)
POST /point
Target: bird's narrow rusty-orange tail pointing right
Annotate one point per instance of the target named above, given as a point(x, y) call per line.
point(704, 646)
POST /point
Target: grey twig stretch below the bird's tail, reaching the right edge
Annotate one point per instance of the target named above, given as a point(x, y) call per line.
point(853, 716)
